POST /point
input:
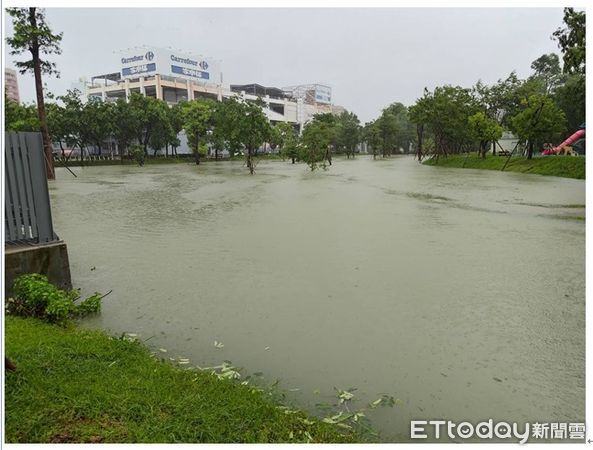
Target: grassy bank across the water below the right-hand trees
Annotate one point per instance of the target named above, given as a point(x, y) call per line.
point(557, 166)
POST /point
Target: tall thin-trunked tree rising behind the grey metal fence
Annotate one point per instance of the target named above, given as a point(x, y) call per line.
point(33, 34)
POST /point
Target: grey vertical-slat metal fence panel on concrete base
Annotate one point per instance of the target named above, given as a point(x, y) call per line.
point(27, 218)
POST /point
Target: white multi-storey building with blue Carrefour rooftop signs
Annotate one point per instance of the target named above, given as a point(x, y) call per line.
point(174, 76)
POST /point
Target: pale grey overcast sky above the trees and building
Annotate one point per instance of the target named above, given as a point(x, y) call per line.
point(370, 57)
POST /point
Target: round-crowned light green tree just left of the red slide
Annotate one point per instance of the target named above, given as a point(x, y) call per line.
point(540, 121)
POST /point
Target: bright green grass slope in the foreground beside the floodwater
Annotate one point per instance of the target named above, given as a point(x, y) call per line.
point(78, 385)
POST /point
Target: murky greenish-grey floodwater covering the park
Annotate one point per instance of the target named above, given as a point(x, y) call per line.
point(459, 292)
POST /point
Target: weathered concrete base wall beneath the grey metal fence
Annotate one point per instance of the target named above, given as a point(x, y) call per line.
point(50, 260)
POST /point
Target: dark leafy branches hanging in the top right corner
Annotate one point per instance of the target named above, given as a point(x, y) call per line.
point(571, 40)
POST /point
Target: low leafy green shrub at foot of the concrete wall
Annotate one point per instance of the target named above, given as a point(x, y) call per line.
point(35, 296)
